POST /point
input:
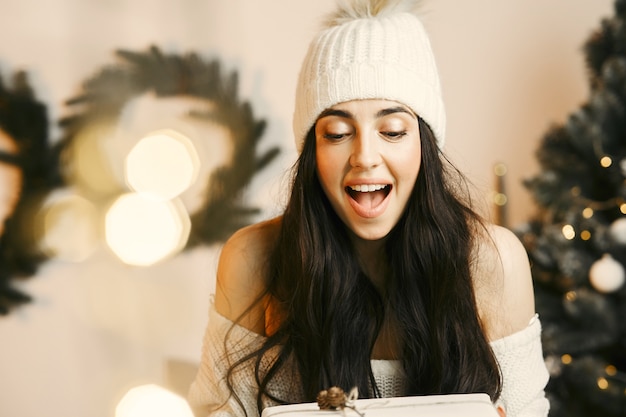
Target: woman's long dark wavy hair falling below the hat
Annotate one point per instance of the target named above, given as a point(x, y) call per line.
point(331, 313)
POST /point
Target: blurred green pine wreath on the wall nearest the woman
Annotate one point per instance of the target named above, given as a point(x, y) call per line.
point(104, 96)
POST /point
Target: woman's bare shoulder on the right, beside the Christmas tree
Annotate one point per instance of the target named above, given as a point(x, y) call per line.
point(503, 283)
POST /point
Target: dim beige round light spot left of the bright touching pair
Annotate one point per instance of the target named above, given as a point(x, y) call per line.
point(68, 227)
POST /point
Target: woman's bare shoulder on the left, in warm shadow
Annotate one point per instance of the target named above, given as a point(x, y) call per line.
point(241, 273)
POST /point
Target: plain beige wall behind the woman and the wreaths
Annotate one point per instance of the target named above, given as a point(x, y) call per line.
point(97, 328)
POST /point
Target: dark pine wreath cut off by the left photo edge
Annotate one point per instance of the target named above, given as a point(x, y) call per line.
point(24, 119)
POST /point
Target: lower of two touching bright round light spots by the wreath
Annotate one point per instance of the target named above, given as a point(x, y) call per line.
point(143, 231)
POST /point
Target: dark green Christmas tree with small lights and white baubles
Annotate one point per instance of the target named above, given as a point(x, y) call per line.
point(577, 240)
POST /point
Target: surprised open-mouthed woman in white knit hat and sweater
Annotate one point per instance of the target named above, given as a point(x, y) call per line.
point(378, 275)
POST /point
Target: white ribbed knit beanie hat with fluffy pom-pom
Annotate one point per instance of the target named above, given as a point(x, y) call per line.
point(370, 49)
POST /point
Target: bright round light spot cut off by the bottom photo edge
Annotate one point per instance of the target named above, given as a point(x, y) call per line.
point(152, 401)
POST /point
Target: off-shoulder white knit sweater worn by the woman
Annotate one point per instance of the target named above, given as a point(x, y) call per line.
point(519, 355)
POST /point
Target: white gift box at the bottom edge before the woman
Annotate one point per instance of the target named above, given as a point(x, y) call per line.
point(450, 405)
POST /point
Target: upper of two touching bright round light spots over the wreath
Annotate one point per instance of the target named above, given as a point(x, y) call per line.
point(162, 164)
